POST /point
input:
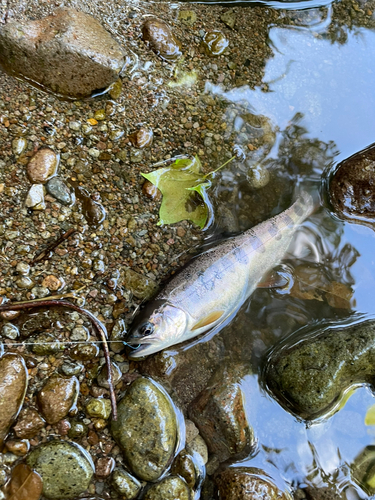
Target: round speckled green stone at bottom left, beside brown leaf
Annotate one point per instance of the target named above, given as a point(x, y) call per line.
point(66, 469)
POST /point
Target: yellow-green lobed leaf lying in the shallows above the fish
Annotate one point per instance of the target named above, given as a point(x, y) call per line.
point(183, 187)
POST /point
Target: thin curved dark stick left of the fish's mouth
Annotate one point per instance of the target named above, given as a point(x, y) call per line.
point(98, 325)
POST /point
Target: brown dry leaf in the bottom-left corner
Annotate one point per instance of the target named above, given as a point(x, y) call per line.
point(25, 484)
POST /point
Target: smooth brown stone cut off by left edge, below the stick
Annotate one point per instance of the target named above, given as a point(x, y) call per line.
point(13, 385)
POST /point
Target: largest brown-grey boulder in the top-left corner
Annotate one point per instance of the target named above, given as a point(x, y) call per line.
point(68, 53)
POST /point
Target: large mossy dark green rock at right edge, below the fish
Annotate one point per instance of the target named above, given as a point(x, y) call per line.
point(309, 375)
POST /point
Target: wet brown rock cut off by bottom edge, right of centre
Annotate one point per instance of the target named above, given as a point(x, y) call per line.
point(246, 483)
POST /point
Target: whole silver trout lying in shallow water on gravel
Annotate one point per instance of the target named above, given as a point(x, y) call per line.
point(215, 284)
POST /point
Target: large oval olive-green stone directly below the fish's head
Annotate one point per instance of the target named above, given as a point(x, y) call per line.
point(146, 429)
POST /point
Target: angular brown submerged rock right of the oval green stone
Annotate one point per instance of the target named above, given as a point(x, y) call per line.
point(219, 414)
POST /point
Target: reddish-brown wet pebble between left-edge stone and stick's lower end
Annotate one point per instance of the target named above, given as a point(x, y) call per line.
point(57, 397)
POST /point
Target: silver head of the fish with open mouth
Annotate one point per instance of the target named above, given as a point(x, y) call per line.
point(163, 327)
